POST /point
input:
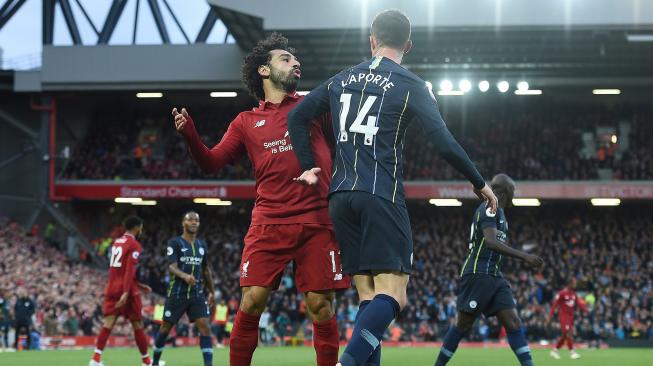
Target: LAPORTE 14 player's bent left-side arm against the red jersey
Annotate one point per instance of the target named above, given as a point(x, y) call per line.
point(315, 104)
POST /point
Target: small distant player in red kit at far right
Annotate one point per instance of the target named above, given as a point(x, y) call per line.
point(566, 301)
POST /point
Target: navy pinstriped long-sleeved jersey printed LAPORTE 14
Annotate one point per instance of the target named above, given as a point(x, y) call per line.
point(371, 105)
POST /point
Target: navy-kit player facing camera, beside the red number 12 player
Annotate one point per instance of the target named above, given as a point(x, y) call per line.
point(191, 289)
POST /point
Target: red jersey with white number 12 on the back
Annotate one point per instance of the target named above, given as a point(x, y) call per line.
point(125, 252)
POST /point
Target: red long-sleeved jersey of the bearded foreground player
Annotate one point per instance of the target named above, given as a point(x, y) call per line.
point(262, 134)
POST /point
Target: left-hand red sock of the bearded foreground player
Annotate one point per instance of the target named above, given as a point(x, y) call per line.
point(244, 339)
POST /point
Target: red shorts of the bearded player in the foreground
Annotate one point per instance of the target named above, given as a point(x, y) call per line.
point(311, 247)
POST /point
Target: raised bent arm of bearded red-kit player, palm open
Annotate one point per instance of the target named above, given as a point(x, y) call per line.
point(210, 160)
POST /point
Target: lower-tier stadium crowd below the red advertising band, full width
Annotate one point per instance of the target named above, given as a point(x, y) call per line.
point(608, 251)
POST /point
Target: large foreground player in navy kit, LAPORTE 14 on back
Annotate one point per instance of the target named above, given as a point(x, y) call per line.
point(372, 104)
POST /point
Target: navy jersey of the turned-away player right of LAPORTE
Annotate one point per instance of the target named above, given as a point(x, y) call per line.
point(481, 259)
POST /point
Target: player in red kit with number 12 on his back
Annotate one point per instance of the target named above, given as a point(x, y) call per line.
point(121, 296)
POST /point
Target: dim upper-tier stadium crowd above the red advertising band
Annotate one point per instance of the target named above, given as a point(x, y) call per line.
point(543, 143)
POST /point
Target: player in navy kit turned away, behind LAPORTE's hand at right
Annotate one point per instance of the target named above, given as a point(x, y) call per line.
point(482, 288)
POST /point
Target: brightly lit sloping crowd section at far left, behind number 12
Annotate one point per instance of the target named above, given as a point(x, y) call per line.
point(65, 294)
